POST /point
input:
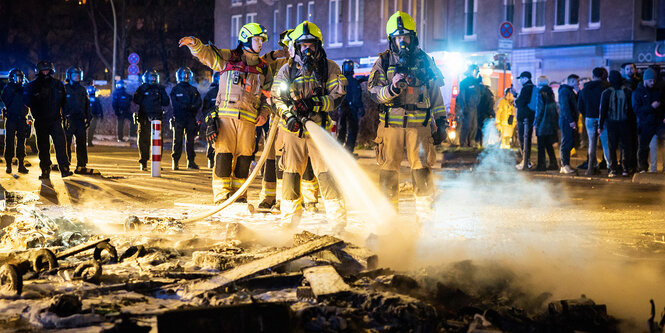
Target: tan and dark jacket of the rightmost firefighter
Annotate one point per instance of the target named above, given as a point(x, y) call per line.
point(415, 105)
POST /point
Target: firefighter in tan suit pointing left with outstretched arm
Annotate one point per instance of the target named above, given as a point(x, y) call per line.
point(244, 82)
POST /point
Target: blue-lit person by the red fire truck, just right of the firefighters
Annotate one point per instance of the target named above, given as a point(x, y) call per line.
point(466, 106)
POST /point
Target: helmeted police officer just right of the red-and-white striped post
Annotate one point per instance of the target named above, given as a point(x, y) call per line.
point(186, 102)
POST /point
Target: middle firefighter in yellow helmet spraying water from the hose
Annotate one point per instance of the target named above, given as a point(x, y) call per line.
point(305, 89)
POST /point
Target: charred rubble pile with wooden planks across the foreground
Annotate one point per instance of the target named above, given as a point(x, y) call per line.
point(160, 275)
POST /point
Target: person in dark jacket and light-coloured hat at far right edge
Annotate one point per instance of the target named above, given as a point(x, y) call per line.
point(647, 105)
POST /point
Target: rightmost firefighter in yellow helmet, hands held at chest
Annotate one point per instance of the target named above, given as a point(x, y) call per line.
point(406, 83)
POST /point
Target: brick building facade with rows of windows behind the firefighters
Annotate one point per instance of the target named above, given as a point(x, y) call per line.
point(549, 37)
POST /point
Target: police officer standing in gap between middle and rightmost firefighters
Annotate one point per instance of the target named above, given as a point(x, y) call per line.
point(352, 109)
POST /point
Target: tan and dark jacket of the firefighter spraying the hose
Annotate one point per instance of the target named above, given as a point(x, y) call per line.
point(326, 93)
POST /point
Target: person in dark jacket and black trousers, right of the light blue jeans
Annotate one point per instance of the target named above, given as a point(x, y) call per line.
point(616, 115)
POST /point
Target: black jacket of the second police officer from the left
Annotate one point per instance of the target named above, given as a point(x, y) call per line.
point(45, 97)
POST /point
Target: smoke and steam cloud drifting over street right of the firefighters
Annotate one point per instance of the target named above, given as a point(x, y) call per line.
point(495, 216)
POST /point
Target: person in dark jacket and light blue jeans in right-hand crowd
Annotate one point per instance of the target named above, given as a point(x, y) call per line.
point(589, 106)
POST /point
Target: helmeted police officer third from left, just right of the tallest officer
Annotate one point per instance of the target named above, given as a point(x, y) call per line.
point(77, 117)
